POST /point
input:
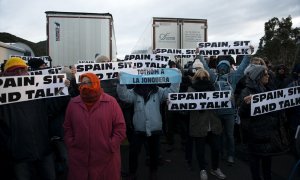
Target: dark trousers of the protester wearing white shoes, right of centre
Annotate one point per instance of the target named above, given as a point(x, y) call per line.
point(214, 142)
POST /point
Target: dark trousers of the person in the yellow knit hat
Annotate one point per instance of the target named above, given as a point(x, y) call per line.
point(43, 169)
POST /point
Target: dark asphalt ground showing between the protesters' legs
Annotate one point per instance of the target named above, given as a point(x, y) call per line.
point(174, 166)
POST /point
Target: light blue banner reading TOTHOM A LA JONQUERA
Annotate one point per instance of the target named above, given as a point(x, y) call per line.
point(150, 76)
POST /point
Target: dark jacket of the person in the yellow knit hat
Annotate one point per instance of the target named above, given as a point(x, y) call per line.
point(24, 132)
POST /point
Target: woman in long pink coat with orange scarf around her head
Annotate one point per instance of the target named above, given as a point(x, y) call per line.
point(94, 129)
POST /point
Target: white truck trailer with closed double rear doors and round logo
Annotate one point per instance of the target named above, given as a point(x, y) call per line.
point(172, 33)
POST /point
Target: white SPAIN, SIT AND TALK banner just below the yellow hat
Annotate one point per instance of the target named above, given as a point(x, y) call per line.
point(25, 88)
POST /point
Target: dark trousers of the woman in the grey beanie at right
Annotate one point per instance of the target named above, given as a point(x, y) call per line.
point(260, 167)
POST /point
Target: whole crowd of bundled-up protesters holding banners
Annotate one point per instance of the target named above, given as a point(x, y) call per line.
point(79, 136)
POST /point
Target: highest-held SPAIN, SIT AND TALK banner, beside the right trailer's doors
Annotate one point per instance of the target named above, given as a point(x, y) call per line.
point(224, 48)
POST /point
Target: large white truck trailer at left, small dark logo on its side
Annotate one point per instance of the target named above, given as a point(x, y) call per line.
point(74, 36)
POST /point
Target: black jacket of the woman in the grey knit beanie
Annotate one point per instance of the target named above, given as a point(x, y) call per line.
point(264, 134)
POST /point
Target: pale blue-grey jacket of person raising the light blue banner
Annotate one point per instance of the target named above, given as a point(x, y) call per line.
point(146, 118)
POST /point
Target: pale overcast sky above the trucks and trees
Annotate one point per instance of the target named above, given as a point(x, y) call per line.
point(227, 20)
